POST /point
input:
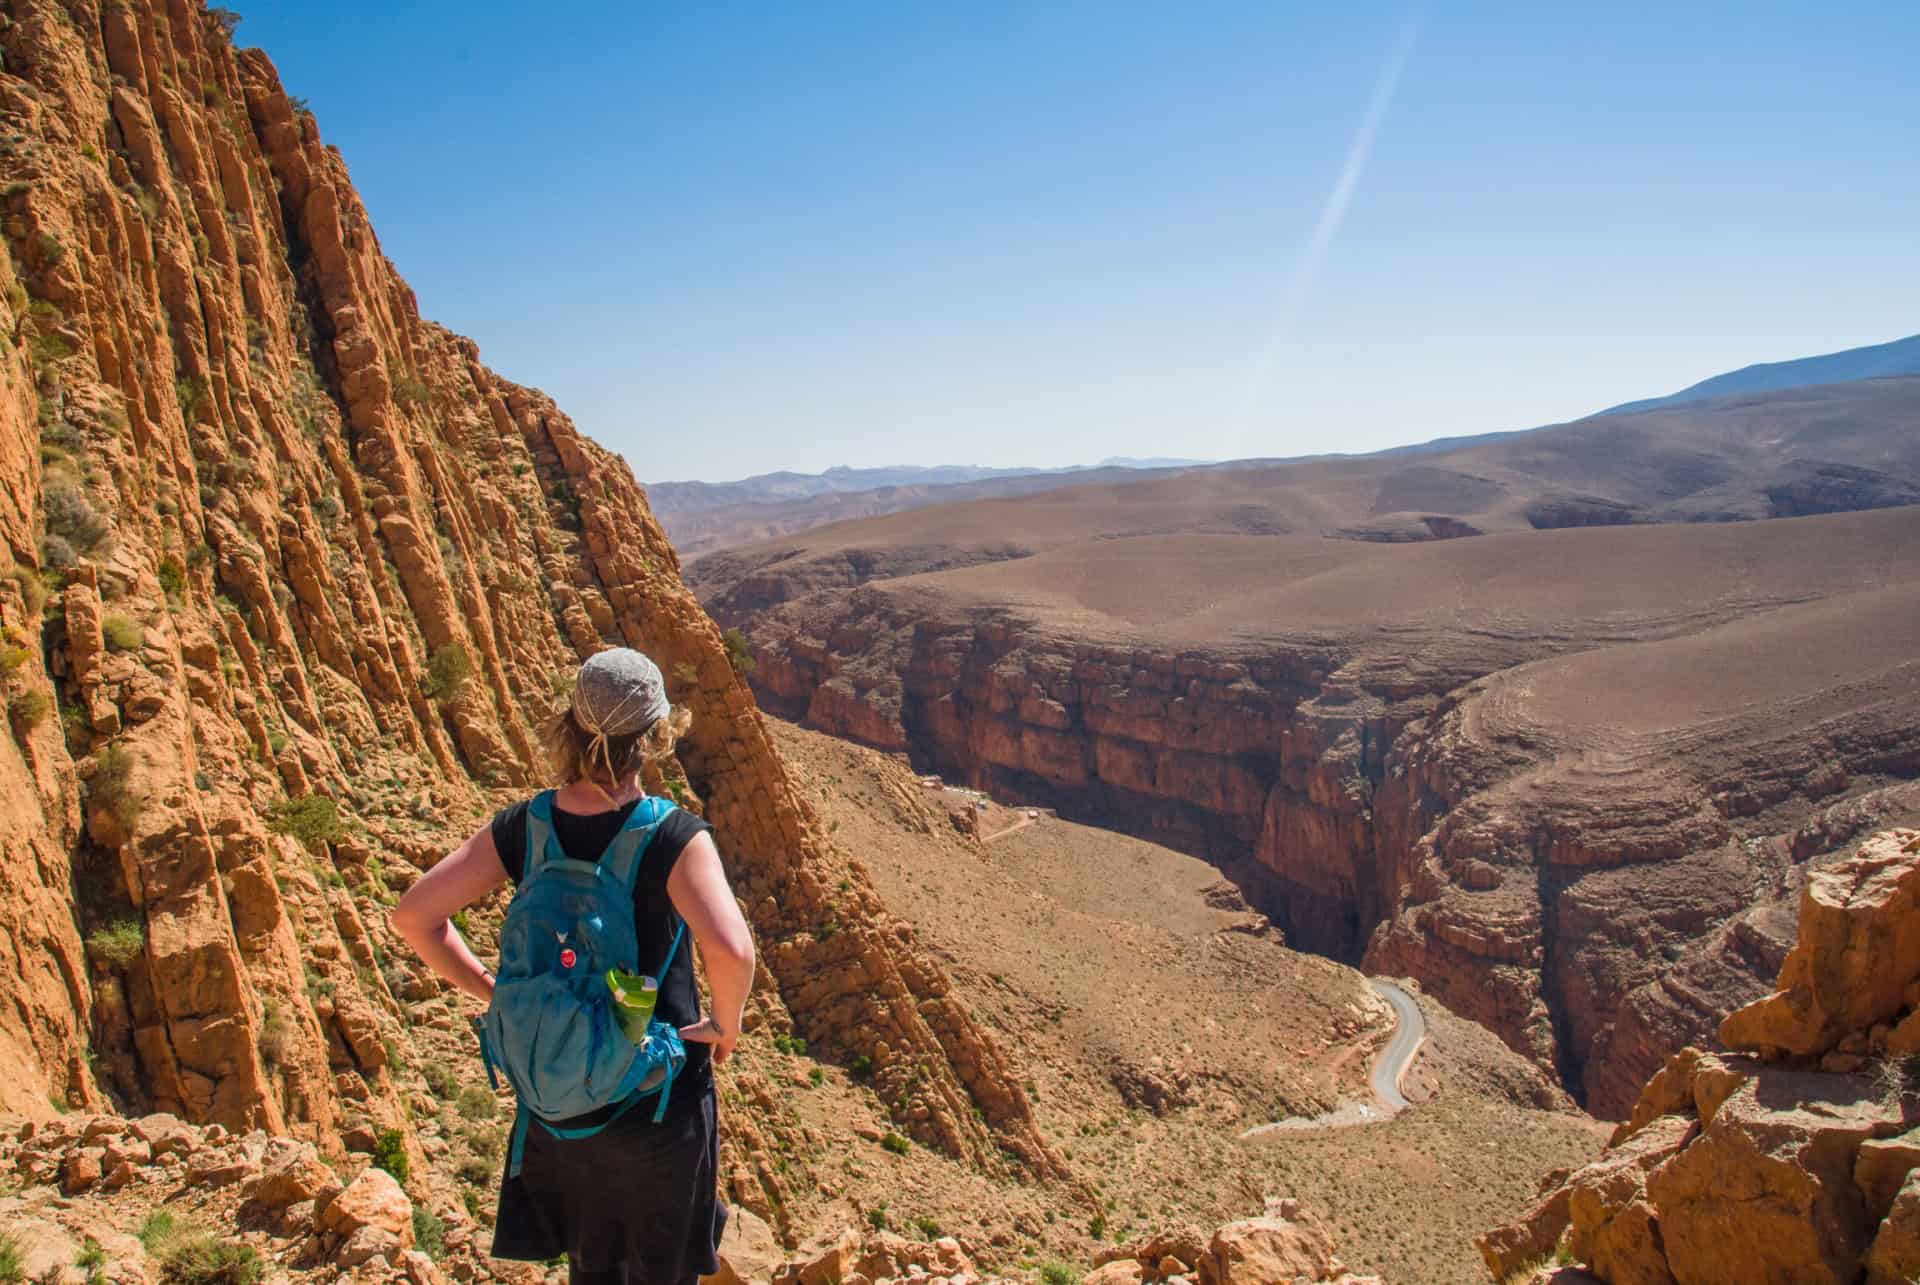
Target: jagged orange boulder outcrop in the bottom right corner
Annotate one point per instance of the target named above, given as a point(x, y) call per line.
point(1787, 1161)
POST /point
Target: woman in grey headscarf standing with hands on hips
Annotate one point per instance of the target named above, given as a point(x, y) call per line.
point(629, 1190)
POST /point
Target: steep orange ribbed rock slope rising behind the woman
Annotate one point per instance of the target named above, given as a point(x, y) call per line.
point(276, 537)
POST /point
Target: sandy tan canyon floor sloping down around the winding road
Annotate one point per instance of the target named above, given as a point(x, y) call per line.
point(1126, 977)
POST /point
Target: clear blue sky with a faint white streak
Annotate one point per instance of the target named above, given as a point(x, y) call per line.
point(746, 237)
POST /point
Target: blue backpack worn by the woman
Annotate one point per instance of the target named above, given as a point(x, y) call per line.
point(552, 1029)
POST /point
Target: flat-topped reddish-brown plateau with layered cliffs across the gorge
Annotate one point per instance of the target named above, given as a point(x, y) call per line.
point(1566, 779)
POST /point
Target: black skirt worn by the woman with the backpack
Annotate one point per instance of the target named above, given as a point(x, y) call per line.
point(636, 1196)
